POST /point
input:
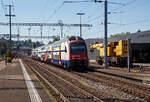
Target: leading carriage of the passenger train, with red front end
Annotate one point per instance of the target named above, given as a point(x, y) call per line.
point(70, 53)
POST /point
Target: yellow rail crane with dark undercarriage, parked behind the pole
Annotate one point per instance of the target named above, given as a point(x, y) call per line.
point(117, 52)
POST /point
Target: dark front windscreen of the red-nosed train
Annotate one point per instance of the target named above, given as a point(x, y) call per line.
point(78, 48)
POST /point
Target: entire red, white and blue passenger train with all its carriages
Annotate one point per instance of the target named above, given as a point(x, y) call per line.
point(69, 53)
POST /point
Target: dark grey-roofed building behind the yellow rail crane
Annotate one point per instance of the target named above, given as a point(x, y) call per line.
point(140, 46)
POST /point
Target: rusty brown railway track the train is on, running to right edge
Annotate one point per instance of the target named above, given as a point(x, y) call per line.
point(135, 89)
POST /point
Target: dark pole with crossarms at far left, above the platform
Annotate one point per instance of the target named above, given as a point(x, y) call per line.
point(10, 15)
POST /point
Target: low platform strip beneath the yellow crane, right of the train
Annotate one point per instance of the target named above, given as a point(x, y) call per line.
point(136, 74)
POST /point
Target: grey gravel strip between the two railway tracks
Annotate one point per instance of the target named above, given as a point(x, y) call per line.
point(119, 96)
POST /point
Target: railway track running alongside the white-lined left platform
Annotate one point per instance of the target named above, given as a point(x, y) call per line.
point(67, 91)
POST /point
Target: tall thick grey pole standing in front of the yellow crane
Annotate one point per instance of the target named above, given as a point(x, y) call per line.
point(105, 31)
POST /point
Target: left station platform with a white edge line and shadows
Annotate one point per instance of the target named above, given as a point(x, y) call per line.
point(19, 84)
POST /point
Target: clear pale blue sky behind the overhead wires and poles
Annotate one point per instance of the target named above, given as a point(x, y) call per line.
point(129, 18)
